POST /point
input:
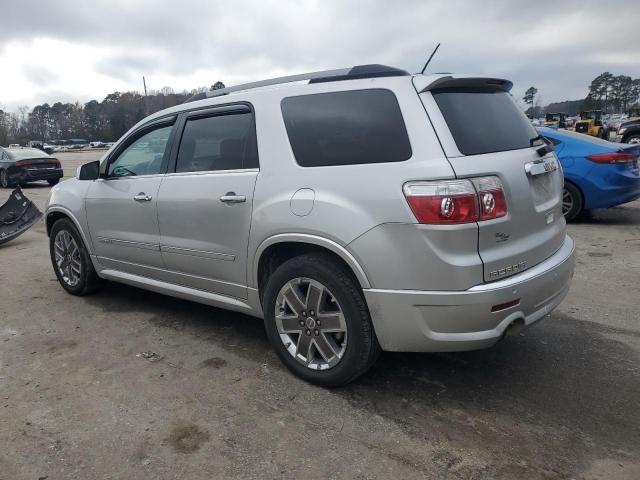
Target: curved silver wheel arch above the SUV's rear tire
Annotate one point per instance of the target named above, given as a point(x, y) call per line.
point(273, 251)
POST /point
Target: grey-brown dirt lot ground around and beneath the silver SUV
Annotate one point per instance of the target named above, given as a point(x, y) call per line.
point(77, 401)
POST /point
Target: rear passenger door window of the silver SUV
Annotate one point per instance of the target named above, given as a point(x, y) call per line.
point(220, 142)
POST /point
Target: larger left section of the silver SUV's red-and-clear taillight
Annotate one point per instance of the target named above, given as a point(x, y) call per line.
point(442, 202)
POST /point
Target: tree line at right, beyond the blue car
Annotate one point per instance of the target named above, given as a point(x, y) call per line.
point(607, 92)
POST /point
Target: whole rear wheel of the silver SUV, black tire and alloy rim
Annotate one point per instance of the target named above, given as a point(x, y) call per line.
point(358, 345)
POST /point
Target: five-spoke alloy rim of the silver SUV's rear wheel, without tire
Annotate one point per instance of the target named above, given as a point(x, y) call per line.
point(311, 323)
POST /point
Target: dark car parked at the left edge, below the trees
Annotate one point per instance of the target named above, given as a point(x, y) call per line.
point(23, 165)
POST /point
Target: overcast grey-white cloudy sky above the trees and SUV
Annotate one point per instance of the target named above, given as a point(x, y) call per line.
point(68, 50)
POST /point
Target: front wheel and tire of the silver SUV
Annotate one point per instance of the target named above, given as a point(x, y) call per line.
point(82, 280)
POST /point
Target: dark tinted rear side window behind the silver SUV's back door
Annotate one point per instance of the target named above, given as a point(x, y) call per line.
point(346, 128)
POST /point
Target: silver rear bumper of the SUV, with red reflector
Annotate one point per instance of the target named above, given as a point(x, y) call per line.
point(439, 321)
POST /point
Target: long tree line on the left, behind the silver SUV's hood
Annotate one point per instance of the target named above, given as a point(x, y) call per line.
point(103, 121)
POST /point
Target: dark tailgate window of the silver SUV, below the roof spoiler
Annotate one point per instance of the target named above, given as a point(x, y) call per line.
point(484, 121)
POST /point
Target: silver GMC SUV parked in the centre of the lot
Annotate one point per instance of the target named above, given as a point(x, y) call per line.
point(353, 210)
